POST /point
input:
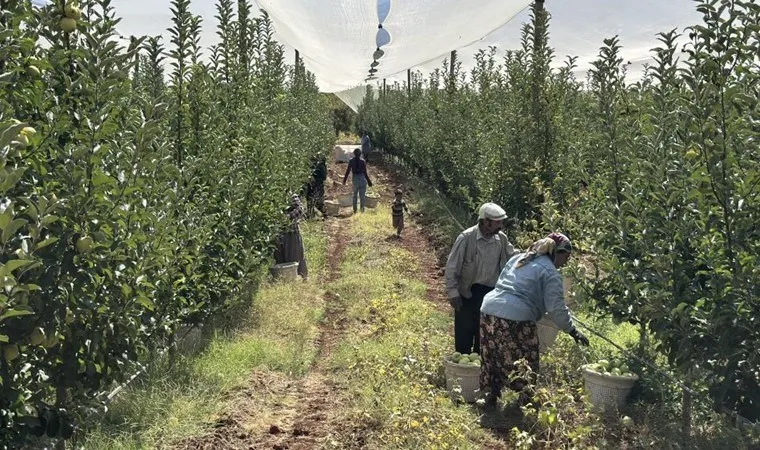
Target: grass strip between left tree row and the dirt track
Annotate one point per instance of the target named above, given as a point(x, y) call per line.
point(170, 403)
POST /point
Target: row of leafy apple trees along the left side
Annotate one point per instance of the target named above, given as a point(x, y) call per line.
point(141, 183)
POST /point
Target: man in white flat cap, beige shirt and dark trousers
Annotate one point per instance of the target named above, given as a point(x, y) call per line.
point(475, 261)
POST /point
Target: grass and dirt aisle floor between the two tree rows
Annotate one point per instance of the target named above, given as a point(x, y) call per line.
point(352, 358)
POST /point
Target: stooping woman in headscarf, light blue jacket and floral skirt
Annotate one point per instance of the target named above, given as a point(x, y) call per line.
point(529, 287)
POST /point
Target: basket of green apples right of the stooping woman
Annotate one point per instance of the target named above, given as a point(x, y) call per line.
point(608, 382)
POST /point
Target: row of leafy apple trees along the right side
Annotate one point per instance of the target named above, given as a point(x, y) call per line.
point(660, 179)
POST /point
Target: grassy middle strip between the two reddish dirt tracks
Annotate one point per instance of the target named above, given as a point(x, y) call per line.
point(390, 356)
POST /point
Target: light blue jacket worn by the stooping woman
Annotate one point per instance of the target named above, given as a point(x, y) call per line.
point(528, 293)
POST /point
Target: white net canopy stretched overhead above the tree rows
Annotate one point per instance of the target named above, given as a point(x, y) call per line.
point(338, 40)
